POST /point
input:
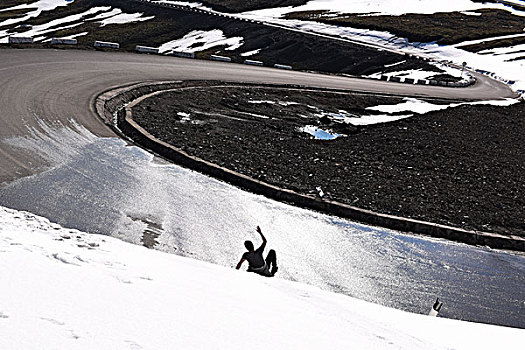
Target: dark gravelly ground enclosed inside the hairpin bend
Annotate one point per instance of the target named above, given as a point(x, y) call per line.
point(463, 167)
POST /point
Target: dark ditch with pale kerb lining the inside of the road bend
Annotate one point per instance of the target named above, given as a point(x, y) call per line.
point(127, 127)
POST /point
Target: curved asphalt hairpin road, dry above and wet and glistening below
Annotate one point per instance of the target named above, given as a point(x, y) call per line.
point(84, 177)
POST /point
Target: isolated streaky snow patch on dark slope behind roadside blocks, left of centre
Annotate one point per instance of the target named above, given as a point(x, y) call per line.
point(199, 40)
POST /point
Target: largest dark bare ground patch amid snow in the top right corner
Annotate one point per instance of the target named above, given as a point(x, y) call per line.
point(443, 28)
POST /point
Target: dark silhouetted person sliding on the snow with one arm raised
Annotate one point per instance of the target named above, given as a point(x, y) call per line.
point(256, 262)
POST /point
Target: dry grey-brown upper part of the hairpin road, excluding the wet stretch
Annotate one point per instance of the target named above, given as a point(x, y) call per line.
point(57, 85)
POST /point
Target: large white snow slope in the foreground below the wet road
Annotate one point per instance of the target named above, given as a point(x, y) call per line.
point(65, 289)
